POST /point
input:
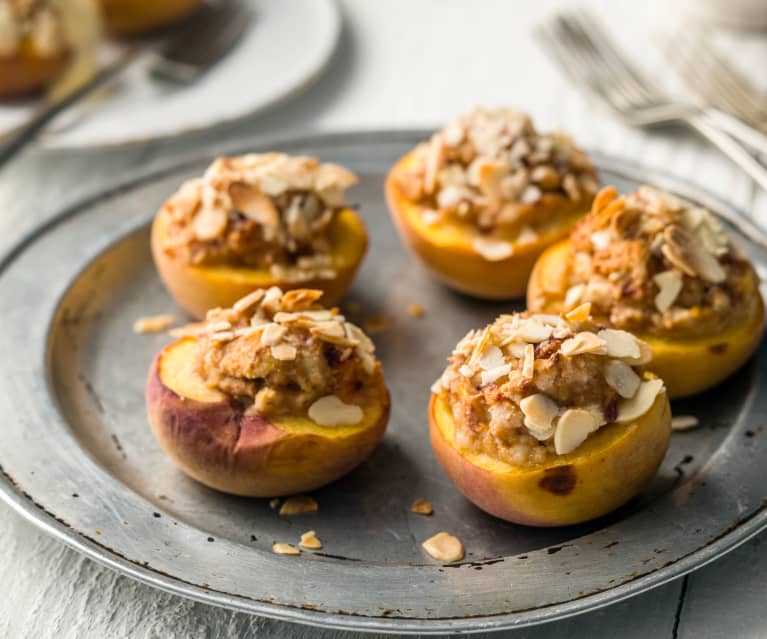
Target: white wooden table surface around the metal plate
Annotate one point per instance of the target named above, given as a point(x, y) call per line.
point(400, 63)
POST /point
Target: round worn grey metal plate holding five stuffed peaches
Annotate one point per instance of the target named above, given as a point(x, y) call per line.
point(78, 458)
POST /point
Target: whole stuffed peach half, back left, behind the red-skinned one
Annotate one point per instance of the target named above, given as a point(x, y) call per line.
point(257, 221)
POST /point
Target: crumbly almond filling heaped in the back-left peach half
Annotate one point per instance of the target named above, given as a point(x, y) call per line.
point(263, 211)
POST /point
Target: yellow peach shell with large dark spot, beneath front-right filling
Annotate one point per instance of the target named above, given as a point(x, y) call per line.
point(607, 470)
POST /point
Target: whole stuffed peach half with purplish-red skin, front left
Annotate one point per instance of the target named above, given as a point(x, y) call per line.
point(274, 396)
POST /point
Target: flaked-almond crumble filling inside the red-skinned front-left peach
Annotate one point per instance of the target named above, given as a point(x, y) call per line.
point(284, 354)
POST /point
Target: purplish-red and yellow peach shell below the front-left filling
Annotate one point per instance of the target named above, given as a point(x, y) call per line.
point(212, 439)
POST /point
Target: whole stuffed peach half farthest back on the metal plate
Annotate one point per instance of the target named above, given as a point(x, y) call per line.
point(483, 197)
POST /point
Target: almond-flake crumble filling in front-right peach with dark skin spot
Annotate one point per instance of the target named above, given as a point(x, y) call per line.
point(528, 387)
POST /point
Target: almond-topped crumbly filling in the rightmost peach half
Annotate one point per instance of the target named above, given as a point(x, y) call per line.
point(653, 263)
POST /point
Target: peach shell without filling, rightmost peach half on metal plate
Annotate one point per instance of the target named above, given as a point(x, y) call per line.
point(687, 366)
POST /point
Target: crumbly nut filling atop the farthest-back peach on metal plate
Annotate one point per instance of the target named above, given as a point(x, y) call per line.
point(490, 167)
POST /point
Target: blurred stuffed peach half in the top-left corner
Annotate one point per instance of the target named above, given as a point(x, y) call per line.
point(34, 48)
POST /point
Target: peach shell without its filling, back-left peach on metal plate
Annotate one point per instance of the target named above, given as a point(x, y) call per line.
point(199, 288)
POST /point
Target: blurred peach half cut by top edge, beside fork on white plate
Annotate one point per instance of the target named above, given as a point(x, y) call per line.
point(134, 17)
